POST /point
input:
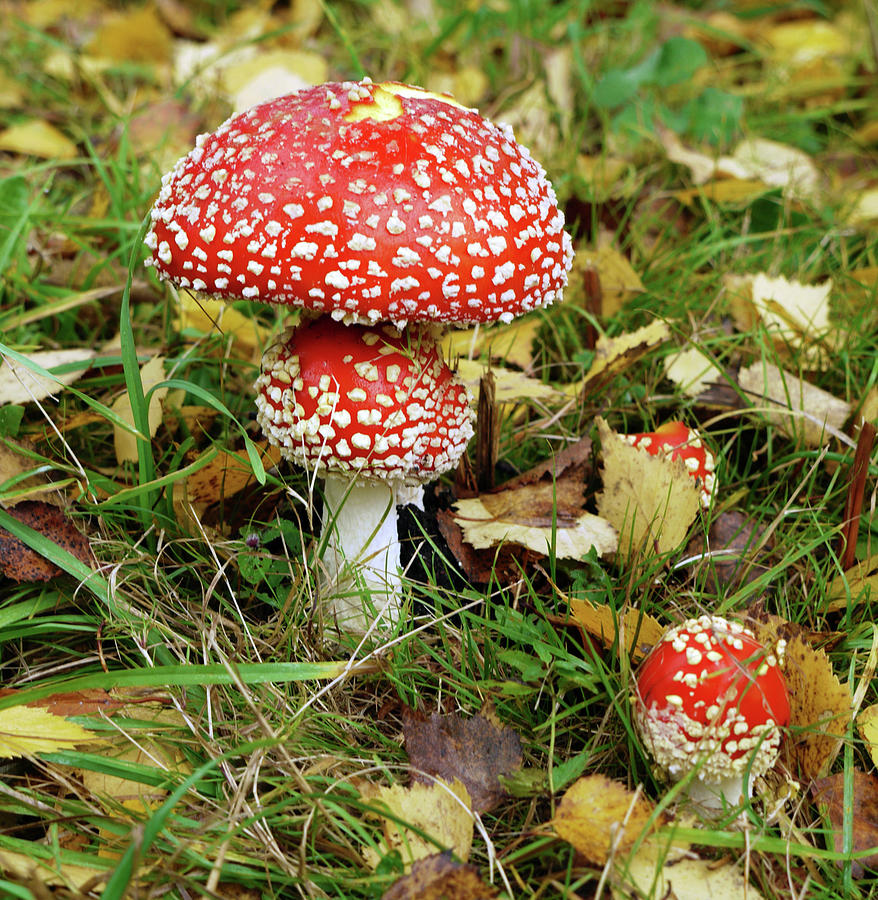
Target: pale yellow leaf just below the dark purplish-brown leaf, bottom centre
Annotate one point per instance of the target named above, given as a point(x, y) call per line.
point(440, 810)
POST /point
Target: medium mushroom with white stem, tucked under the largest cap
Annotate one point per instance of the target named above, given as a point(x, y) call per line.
point(374, 409)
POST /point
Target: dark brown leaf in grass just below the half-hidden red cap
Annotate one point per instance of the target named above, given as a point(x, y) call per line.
point(728, 558)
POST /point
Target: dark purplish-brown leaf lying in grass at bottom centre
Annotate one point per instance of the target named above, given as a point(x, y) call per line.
point(474, 750)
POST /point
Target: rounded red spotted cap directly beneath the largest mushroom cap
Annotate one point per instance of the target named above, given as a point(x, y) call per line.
point(373, 401)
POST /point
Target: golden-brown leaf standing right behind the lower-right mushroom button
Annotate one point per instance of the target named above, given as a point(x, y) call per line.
point(820, 708)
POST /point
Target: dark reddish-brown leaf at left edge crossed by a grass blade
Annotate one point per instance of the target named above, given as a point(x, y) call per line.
point(19, 562)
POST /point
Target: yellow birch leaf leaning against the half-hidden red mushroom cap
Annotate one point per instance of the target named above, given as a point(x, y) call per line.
point(649, 500)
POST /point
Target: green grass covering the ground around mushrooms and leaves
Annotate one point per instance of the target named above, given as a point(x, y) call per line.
point(272, 722)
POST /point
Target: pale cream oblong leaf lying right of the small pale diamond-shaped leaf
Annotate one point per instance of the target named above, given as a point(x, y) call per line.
point(803, 412)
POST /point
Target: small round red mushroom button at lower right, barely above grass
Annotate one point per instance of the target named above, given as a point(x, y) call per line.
point(710, 699)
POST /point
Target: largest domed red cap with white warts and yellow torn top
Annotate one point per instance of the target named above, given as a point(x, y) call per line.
point(369, 201)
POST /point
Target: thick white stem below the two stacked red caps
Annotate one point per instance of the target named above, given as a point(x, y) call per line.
point(360, 551)
